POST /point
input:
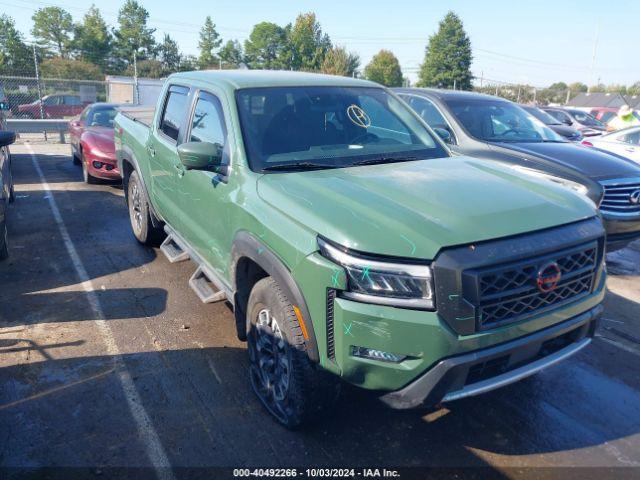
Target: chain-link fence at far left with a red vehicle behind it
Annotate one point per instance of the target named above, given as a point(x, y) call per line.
point(38, 98)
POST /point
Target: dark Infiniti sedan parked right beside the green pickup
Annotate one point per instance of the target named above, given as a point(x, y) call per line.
point(492, 128)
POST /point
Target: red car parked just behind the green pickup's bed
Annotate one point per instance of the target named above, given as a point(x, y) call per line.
point(91, 138)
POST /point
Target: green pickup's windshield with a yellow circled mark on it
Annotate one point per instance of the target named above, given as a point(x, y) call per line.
point(330, 127)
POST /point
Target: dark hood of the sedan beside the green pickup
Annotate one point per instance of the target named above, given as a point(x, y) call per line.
point(594, 164)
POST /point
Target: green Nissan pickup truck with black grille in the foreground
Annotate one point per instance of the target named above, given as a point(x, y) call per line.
point(352, 245)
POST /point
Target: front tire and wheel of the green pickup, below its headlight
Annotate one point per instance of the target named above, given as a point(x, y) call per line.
point(292, 388)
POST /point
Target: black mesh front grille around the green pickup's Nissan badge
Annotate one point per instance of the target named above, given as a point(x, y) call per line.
point(510, 292)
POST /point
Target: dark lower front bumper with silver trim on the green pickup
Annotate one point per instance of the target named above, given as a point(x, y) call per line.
point(484, 370)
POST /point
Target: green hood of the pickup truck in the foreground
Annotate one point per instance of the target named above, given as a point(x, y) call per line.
point(414, 209)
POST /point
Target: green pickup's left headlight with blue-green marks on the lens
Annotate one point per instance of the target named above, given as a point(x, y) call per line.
point(385, 283)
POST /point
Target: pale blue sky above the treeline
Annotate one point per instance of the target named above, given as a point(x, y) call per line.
point(537, 43)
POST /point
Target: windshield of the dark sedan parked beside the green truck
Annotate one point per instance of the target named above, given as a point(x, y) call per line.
point(500, 121)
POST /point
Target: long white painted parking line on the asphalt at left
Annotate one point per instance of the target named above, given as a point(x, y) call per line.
point(146, 430)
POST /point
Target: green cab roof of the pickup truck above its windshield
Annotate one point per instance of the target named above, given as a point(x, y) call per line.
point(237, 79)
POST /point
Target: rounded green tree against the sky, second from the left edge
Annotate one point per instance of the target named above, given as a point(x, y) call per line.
point(52, 29)
